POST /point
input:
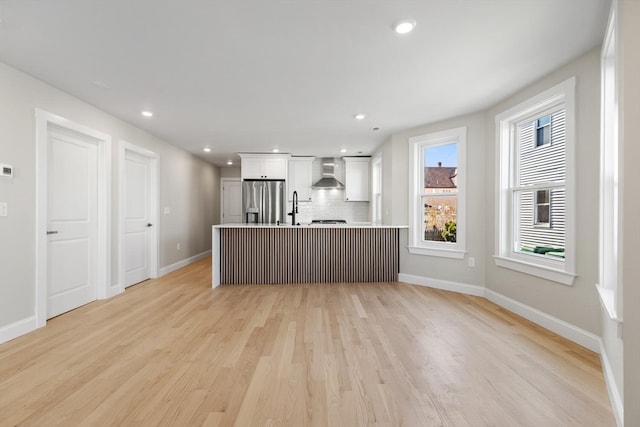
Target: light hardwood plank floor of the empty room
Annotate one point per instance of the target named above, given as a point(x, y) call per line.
point(173, 351)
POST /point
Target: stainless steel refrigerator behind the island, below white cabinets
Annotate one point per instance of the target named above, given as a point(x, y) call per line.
point(263, 201)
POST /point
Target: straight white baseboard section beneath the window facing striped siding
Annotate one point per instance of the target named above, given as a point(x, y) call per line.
point(560, 327)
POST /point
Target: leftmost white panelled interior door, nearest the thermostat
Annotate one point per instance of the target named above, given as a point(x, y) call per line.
point(72, 224)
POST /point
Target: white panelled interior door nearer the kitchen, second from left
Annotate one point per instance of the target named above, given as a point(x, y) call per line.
point(137, 218)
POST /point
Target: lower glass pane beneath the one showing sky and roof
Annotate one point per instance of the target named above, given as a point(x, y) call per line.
point(440, 218)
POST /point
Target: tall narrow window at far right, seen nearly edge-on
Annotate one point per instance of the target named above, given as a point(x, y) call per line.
point(609, 287)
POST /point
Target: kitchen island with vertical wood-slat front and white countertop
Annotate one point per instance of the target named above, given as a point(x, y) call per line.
point(310, 253)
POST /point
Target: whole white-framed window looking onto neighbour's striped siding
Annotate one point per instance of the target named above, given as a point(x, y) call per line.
point(535, 223)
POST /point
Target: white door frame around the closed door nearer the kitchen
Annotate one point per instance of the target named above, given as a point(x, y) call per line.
point(154, 191)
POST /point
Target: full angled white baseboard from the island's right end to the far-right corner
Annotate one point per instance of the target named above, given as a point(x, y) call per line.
point(560, 327)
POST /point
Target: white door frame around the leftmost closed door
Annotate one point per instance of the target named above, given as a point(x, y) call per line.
point(44, 120)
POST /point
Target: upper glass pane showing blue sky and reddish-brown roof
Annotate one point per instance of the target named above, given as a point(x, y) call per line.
point(441, 168)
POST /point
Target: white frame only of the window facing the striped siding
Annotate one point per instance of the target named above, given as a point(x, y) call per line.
point(506, 256)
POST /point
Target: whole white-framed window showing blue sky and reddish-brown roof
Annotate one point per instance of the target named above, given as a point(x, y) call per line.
point(437, 204)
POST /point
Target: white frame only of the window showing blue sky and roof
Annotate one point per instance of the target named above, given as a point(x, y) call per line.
point(417, 144)
